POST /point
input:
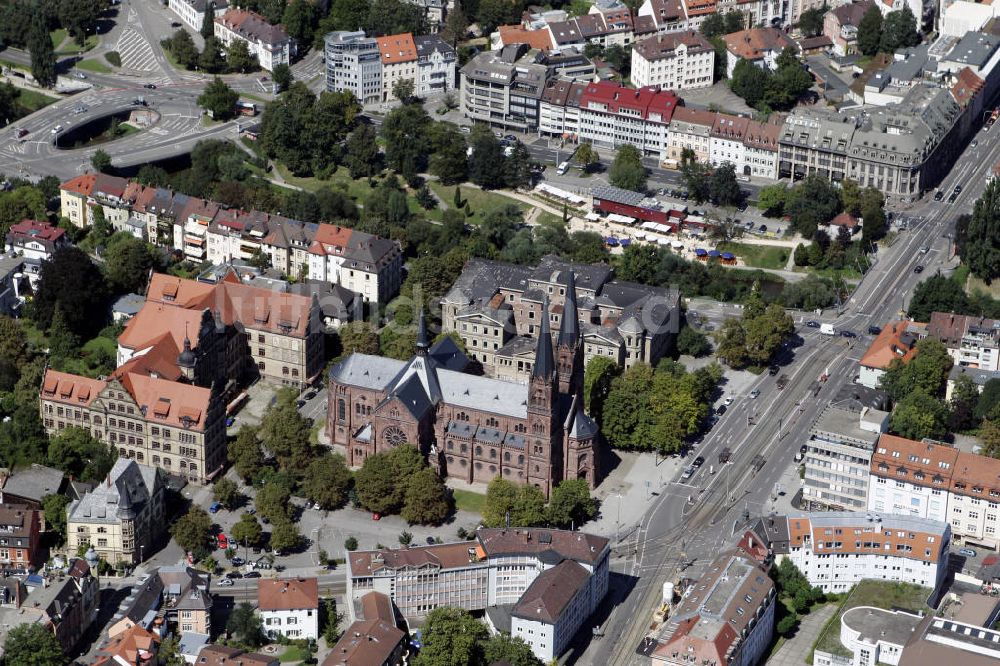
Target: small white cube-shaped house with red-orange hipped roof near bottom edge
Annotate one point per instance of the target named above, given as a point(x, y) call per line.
point(289, 607)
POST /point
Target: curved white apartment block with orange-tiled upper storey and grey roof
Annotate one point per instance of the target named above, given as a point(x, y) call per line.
point(836, 550)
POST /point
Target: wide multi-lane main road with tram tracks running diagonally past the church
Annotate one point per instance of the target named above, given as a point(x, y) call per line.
point(675, 531)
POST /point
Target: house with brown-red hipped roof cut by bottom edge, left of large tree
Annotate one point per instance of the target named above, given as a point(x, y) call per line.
point(373, 639)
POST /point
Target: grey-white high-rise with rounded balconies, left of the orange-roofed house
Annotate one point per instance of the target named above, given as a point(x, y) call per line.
point(353, 63)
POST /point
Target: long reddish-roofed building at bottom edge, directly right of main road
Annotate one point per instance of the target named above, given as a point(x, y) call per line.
point(725, 617)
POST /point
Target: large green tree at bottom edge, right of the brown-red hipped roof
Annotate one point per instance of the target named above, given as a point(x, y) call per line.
point(452, 637)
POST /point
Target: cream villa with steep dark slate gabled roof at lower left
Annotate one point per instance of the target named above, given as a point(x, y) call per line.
point(122, 519)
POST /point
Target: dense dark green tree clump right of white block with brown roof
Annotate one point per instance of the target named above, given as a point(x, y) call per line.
point(766, 90)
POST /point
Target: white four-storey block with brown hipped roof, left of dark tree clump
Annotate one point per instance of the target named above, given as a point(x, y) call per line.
point(674, 61)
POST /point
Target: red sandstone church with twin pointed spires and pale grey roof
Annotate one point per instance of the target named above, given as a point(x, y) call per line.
point(470, 427)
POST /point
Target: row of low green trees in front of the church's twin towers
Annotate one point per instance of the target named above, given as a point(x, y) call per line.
point(525, 505)
